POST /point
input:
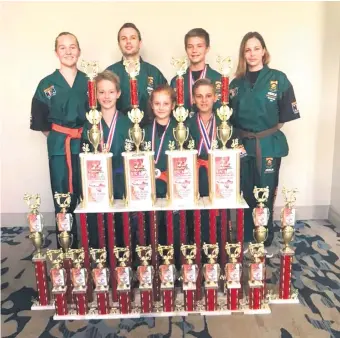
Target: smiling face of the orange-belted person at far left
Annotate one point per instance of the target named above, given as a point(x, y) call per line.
point(67, 51)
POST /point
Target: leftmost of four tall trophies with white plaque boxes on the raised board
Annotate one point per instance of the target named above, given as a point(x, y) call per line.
point(96, 165)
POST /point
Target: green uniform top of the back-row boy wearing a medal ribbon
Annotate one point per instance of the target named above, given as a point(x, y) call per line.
point(208, 73)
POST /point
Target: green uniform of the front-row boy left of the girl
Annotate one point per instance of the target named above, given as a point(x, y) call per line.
point(118, 133)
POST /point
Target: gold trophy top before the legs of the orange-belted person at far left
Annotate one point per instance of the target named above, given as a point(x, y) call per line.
point(64, 220)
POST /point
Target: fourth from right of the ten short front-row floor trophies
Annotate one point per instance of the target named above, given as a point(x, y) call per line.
point(189, 274)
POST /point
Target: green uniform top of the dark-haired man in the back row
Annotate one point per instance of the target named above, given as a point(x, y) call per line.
point(148, 79)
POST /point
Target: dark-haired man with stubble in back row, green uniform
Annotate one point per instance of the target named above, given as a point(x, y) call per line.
point(149, 77)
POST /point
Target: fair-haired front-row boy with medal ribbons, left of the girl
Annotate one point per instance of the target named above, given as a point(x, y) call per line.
point(115, 128)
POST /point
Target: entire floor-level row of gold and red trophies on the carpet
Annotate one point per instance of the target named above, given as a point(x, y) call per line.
point(70, 279)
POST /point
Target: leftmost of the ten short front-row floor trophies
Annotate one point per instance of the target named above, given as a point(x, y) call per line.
point(58, 279)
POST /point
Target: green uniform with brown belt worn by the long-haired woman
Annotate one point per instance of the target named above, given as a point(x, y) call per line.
point(260, 101)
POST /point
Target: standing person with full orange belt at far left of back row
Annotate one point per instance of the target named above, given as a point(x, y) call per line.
point(58, 110)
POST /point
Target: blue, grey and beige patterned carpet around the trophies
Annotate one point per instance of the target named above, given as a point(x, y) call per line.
point(316, 275)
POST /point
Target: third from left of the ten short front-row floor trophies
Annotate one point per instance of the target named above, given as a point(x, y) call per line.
point(100, 275)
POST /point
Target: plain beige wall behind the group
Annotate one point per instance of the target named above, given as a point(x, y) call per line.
point(295, 34)
